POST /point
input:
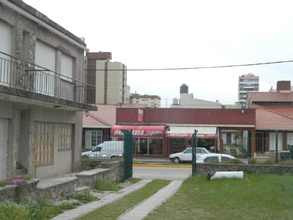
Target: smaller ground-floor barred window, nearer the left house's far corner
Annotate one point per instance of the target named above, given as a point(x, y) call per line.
point(64, 137)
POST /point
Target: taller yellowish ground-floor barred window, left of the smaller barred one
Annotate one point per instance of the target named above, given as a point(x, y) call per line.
point(43, 143)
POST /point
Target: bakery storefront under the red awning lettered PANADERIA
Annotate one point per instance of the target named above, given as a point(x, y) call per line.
point(148, 140)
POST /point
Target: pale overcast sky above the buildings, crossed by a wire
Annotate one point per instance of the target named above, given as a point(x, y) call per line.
point(156, 34)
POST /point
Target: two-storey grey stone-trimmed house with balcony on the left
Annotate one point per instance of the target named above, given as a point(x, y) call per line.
point(42, 94)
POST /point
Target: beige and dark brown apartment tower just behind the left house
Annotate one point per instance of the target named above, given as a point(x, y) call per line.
point(110, 79)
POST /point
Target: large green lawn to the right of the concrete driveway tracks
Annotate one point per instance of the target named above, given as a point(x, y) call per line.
point(257, 196)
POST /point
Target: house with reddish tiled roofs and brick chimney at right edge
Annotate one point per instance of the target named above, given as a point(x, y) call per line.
point(274, 113)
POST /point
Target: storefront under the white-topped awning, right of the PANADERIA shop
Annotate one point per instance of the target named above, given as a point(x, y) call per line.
point(179, 137)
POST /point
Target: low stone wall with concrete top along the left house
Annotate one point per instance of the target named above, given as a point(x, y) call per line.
point(64, 186)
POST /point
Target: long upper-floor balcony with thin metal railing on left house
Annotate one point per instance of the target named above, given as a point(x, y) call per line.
point(26, 82)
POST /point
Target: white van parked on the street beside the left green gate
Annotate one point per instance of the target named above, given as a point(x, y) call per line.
point(105, 150)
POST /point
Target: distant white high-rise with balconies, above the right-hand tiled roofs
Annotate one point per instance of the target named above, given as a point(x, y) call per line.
point(246, 83)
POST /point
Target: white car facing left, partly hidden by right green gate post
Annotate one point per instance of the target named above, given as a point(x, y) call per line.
point(186, 155)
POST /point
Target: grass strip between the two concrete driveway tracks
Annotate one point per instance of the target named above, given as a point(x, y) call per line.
point(117, 208)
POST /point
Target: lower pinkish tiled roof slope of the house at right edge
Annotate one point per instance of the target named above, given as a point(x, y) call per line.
point(272, 119)
